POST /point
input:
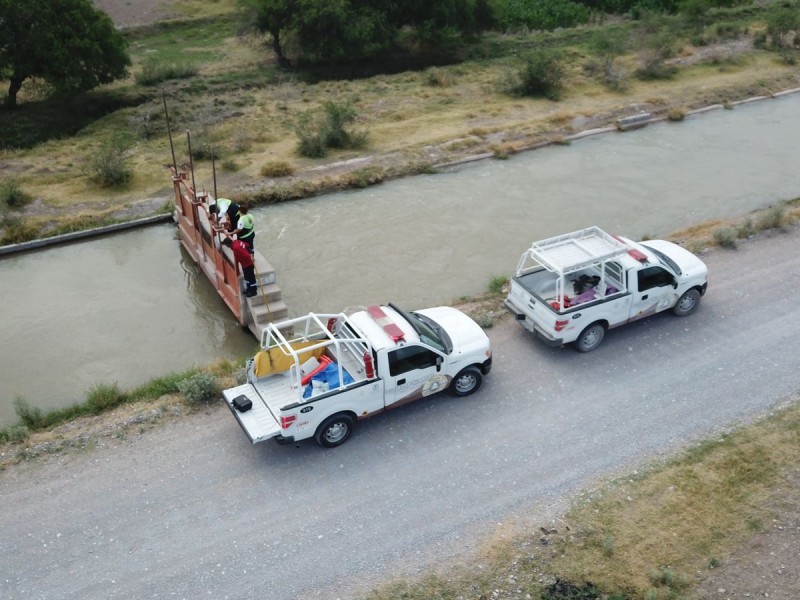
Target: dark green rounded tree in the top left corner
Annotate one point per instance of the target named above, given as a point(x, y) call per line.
point(67, 43)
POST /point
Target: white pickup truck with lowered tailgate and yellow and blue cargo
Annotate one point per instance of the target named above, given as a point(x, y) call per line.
point(317, 375)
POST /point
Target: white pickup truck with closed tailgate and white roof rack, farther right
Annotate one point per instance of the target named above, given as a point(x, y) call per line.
point(576, 286)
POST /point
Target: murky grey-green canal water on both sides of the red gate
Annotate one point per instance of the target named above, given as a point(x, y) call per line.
point(133, 306)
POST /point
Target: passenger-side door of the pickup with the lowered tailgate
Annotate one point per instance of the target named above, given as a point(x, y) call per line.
point(414, 372)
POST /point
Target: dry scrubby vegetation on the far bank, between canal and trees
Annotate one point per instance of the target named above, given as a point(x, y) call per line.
point(239, 103)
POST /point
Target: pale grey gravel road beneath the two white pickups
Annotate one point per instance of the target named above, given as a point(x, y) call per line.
point(192, 510)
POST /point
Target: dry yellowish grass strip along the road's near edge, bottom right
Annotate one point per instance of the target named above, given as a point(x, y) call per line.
point(650, 534)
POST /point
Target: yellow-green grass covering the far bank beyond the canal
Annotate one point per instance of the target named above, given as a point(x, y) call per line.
point(224, 87)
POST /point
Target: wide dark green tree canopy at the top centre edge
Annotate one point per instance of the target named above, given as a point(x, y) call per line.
point(347, 30)
